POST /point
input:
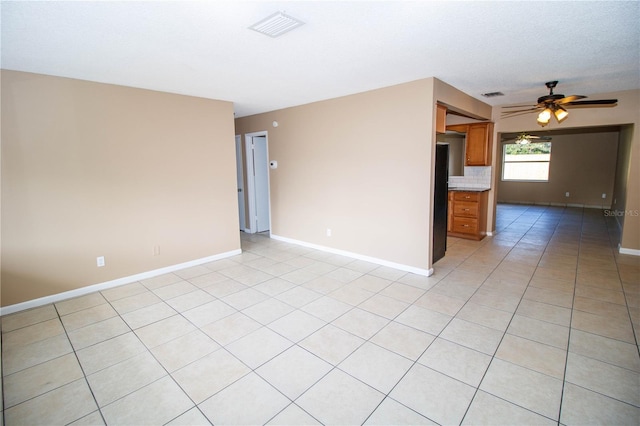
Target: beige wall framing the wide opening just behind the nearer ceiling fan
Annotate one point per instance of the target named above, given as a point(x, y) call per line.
point(624, 114)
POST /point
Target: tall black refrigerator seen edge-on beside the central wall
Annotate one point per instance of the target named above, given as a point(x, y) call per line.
point(440, 202)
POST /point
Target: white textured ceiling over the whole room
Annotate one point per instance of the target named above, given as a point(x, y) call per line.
point(205, 48)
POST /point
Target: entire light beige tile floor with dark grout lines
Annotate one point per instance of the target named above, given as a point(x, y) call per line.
point(537, 325)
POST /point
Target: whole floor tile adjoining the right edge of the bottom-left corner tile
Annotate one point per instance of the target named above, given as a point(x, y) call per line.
point(118, 380)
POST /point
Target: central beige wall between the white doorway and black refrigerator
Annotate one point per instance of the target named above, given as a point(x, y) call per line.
point(359, 165)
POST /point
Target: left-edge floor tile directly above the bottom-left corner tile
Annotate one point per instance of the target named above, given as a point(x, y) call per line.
point(39, 379)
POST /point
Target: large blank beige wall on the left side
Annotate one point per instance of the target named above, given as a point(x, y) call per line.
point(93, 170)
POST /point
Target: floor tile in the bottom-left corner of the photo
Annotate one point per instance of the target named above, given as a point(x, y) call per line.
point(53, 407)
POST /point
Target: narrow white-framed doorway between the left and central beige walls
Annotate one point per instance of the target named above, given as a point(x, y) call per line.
point(257, 160)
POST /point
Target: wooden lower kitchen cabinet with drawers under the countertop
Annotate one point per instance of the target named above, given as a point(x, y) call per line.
point(467, 214)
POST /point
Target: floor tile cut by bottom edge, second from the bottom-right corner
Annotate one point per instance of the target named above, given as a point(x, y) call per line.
point(487, 409)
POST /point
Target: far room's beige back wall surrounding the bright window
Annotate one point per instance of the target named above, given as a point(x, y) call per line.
point(582, 164)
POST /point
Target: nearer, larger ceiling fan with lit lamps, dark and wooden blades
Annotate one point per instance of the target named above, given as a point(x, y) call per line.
point(556, 104)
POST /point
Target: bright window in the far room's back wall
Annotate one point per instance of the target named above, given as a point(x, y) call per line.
point(528, 162)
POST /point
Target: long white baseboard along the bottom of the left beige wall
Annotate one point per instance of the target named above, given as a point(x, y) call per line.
point(113, 283)
